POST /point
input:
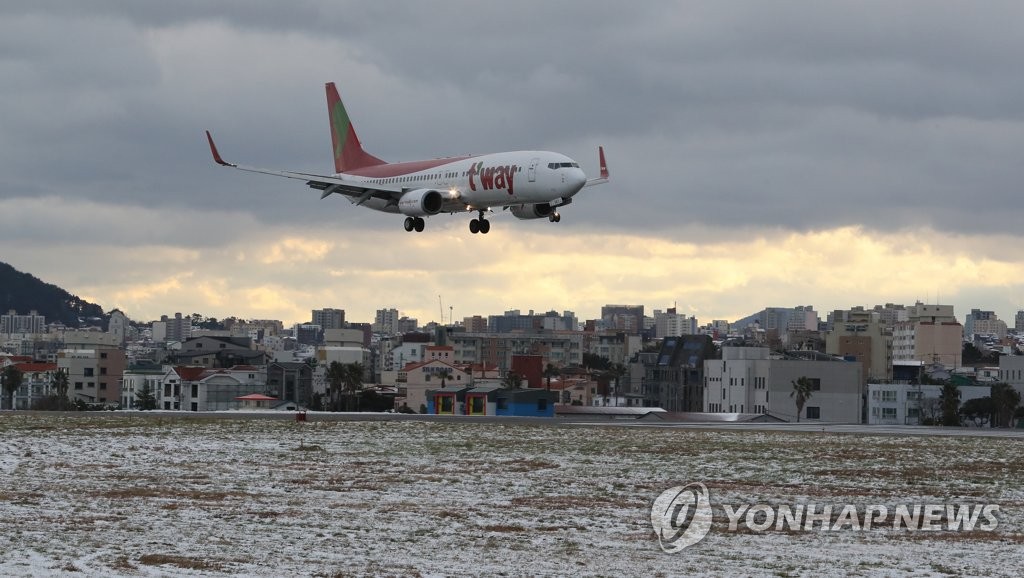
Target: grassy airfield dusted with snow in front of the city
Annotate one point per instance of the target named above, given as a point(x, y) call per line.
point(124, 496)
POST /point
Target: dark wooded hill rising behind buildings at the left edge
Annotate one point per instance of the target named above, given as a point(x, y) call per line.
point(23, 293)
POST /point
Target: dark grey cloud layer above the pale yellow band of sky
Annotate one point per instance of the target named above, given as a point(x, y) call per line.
point(737, 115)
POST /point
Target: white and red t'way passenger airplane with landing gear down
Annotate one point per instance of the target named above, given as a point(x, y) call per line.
point(530, 184)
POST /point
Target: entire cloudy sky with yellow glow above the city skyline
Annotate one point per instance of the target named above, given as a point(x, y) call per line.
point(763, 154)
